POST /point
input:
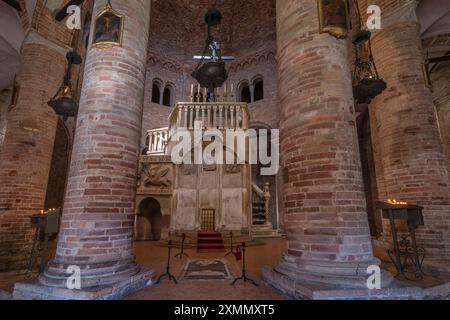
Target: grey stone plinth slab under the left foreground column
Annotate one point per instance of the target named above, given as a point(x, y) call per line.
point(119, 290)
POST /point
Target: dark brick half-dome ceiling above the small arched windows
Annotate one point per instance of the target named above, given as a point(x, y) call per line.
point(178, 27)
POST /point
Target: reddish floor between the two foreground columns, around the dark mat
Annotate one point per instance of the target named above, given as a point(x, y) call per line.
point(155, 256)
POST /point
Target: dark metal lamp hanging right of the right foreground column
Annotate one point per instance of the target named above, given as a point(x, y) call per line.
point(367, 84)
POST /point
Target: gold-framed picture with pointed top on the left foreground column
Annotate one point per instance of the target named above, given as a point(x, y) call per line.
point(108, 28)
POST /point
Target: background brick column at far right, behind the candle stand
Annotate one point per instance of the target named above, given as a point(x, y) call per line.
point(411, 162)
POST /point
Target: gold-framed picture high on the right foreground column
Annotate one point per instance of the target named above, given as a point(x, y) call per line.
point(333, 17)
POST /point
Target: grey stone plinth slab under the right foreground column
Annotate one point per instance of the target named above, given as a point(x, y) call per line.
point(301, 289)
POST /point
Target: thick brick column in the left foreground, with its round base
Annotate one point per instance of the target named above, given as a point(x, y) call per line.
point(98, 216)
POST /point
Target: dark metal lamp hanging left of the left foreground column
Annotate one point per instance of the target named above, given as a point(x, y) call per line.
point(63, 103)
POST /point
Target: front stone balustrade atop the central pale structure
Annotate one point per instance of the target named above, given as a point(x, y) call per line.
point(219, 115)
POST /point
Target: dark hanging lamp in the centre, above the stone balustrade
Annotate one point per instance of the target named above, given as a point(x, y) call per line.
point(210, 71)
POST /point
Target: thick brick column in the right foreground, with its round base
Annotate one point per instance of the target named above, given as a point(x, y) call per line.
point(325, 213)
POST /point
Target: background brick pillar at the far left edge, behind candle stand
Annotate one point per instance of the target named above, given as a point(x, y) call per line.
point(26, 153)
